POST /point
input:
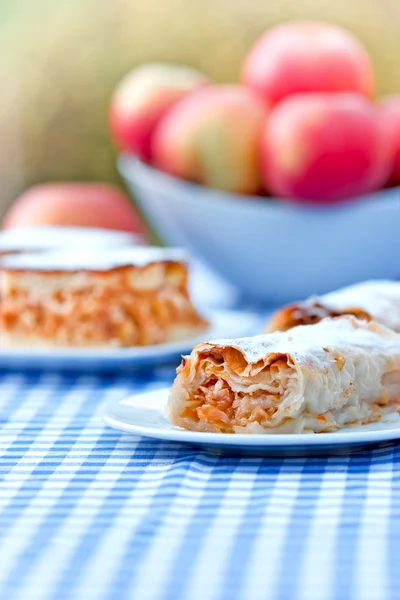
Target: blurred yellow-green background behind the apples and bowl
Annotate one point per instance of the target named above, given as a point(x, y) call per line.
point(60, 60)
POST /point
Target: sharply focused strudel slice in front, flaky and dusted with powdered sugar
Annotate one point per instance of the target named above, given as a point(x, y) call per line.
point(316, 378)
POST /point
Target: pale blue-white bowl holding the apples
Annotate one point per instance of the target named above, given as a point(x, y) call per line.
point(273, 251)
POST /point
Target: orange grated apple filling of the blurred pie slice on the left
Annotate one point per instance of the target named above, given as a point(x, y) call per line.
point(122, 308)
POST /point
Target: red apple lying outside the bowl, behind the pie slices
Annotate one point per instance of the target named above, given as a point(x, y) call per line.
point(74, 204)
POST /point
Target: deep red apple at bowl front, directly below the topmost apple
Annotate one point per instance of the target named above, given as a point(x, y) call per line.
point(325, 147)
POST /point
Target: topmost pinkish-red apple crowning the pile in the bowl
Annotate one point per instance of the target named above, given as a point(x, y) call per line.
point(307, 57)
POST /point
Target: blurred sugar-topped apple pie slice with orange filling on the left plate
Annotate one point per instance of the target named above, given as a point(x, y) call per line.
point(117, 297)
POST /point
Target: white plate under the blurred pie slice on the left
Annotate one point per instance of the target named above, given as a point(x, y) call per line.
point(223, 324)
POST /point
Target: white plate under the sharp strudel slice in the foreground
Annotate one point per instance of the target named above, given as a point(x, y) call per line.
point(143, 415)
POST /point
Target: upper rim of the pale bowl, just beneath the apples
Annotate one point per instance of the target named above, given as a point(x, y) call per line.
point(127, 163)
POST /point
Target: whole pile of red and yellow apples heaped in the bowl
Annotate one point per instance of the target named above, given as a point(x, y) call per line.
point(303, 123)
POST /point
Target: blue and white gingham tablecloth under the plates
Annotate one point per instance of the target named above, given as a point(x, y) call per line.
point(89, 513)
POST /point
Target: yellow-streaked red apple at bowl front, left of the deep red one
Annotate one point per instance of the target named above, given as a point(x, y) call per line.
point(212, 137)
